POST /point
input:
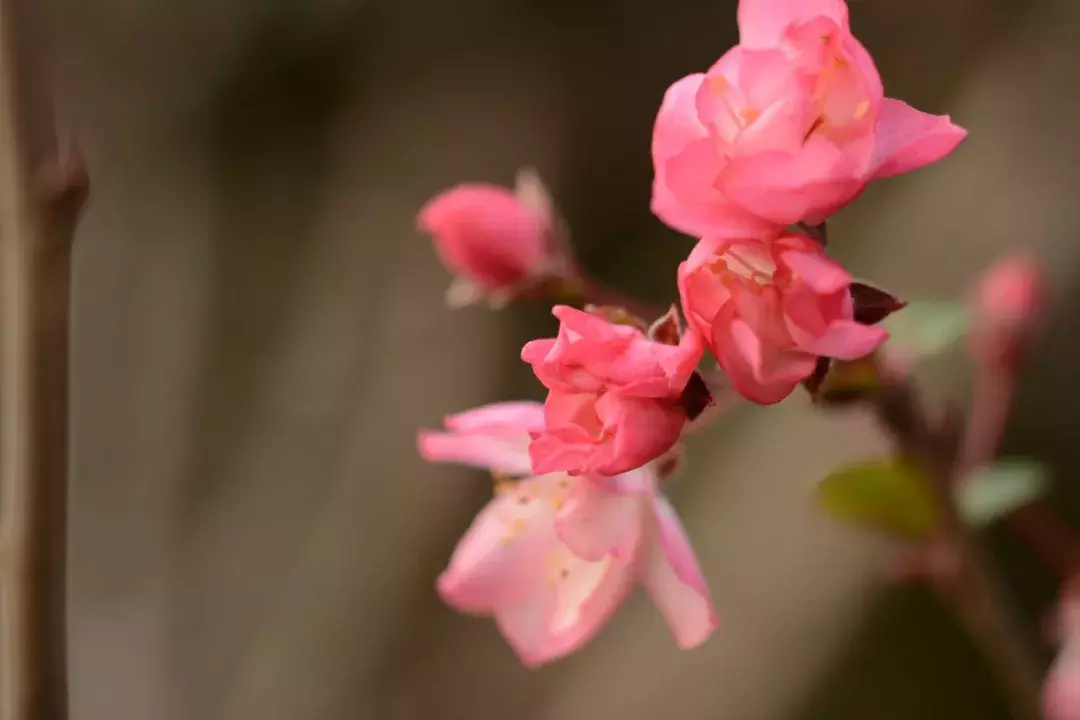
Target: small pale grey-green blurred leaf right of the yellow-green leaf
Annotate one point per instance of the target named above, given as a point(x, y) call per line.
point(996, 491)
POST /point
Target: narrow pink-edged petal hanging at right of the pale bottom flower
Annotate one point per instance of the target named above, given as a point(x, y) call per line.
point(676, 582)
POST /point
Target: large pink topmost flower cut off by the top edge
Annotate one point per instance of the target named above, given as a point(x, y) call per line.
point(789, 127)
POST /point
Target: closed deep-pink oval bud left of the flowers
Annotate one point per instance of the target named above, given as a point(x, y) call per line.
point(491, 240)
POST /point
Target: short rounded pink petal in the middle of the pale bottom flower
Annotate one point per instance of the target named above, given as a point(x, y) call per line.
point(598, 522)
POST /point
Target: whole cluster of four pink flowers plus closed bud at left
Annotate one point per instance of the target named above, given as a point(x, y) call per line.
point(751, 158)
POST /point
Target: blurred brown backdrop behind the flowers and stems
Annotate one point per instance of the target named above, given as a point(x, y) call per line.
point(260, 333)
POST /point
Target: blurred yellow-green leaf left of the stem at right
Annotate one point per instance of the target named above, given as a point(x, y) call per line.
point(886, 496)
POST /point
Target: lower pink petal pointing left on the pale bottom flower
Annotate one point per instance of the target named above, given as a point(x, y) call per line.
point(505, 452)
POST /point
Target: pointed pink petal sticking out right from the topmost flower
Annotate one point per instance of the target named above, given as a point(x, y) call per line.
point(908, 140)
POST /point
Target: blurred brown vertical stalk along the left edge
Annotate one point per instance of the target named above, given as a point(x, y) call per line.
point(40, 198)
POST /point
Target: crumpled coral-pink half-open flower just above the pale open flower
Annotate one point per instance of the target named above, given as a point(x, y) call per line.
point(613, 402)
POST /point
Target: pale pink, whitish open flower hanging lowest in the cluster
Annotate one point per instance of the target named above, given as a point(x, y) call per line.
point(552, 558)
